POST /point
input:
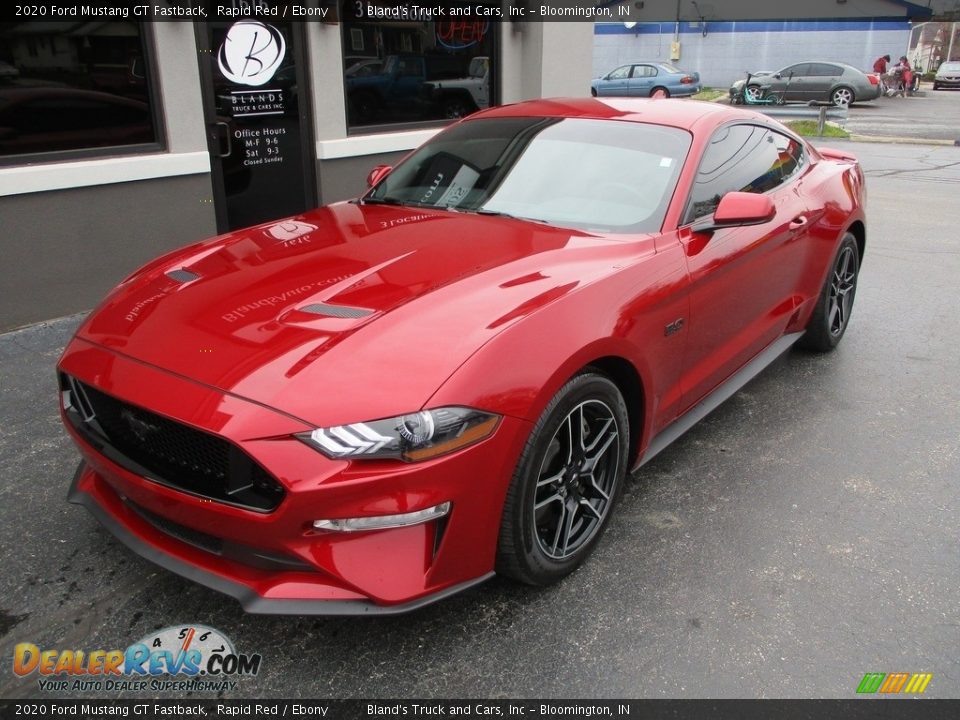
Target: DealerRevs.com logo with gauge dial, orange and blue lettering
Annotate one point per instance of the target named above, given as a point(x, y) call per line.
point(177, 658)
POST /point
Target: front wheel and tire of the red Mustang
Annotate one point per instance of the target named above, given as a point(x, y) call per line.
point(562, 493)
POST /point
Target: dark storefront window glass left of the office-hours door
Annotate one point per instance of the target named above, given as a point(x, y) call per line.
point(73, 86)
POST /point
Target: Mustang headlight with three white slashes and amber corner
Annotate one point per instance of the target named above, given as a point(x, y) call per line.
point(417, 436)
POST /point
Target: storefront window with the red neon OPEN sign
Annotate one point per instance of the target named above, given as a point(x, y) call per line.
point(415, 71)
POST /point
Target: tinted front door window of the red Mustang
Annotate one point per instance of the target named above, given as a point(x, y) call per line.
point(741, 158)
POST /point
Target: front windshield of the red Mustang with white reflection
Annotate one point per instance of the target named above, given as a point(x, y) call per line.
point(595, 175)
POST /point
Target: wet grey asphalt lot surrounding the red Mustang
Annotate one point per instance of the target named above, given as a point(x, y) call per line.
point(804, 534)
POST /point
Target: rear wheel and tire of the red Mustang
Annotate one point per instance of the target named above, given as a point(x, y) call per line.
point(831, 316)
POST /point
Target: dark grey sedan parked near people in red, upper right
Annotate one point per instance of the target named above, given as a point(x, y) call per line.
point(813, 81)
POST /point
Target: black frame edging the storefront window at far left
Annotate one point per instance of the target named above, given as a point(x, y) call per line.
point(103, 152)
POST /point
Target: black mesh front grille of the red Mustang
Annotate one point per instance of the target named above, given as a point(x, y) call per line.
point(167, 451)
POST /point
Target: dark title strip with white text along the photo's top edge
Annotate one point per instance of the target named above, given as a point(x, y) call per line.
point(618, 11)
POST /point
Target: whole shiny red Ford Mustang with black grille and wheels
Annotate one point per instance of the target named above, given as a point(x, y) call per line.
point(376, 404)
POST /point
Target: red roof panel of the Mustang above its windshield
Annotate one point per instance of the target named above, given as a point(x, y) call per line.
point(673, 112)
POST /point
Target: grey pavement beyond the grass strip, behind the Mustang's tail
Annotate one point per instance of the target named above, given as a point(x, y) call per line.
point(930, 116)
